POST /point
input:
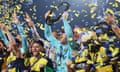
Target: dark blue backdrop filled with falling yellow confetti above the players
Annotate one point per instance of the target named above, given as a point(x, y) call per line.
point(83, 13)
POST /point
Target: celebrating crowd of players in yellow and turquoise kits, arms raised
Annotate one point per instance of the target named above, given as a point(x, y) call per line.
point(72, 50)
